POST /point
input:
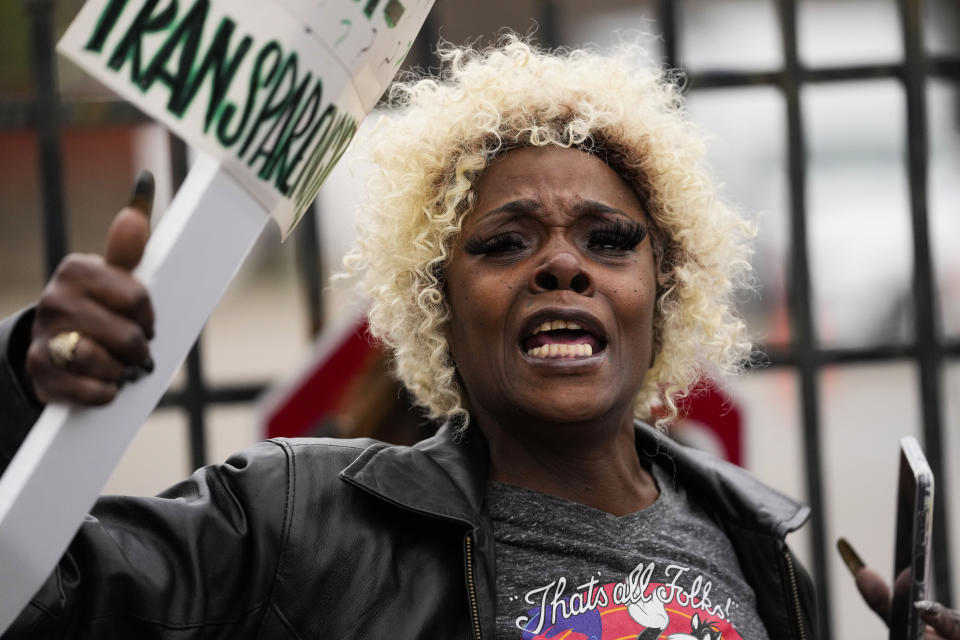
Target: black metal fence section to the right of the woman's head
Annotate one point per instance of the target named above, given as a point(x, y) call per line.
point(804, 354)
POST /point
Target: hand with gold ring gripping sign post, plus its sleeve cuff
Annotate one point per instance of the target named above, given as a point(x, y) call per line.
point(88, 334)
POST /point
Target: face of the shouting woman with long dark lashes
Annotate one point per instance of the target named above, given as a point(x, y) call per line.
point(552, 287)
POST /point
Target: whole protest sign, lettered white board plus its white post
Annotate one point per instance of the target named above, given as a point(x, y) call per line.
point(270, 93)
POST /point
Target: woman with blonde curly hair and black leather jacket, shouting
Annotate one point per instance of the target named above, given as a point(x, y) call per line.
point(552, 269)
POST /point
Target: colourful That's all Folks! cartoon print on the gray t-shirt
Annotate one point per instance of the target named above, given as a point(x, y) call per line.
point(634, 608)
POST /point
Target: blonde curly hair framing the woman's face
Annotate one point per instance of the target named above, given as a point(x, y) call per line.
point(444, 131)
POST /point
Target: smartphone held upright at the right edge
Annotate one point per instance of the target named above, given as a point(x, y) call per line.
point(911, 564)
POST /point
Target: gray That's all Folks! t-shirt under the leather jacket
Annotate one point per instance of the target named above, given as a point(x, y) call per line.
point(565, 570)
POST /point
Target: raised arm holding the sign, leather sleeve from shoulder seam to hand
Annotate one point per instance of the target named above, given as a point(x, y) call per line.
point(198, 561)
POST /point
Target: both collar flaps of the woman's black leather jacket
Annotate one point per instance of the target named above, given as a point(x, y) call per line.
point(446, 478)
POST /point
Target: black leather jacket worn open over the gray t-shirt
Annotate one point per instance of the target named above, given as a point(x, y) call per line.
point(321, 538)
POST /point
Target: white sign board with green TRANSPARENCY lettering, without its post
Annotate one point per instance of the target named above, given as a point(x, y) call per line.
point(274, 89)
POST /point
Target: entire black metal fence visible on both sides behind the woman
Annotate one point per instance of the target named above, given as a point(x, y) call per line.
point(45, 114)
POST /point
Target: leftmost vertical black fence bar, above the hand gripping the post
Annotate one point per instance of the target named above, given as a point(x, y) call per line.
point(47, 122)
